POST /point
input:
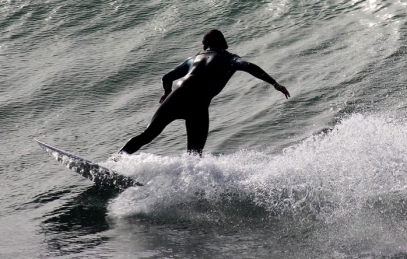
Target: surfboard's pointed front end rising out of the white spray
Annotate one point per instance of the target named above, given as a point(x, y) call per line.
point(100, 175)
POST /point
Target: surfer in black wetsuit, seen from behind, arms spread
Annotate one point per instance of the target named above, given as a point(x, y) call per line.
point(202, 77)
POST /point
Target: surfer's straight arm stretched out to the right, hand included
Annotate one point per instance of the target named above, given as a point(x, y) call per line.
point(256, 71)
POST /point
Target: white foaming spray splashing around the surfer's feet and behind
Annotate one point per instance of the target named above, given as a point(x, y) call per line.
point(328, 177)
